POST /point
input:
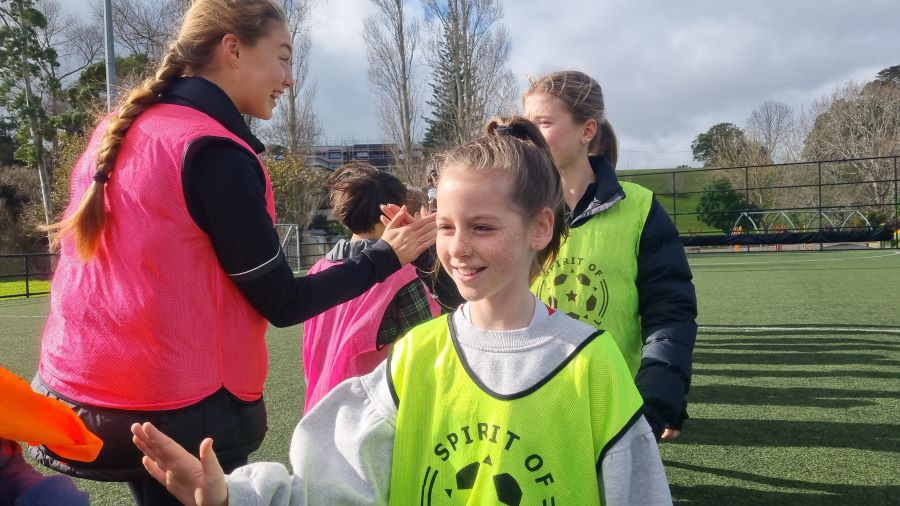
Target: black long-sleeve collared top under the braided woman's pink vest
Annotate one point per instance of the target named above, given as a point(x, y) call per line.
point(224, 189)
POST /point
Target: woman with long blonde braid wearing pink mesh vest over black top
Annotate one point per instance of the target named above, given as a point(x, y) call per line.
point(170, 268)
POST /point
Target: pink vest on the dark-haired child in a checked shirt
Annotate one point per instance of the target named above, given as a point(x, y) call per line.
point(341, 342)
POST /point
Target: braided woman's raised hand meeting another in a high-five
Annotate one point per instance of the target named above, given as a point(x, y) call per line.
point(409, 236)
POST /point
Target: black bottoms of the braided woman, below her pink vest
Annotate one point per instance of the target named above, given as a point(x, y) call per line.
point(238, 428)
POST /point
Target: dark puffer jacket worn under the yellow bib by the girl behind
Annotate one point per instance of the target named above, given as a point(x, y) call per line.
point(667, 303)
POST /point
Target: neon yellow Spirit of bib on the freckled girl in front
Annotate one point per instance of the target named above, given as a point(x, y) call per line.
point(457, 442)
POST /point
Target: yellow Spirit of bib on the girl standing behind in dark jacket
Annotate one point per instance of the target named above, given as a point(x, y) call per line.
point(594, 276)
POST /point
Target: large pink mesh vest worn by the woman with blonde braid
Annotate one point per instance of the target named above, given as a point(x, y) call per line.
point(151, 322)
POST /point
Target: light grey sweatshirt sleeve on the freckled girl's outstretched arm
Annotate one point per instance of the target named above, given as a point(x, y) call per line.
point(341, 452)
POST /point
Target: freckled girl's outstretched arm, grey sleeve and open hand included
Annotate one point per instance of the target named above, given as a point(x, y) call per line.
point(341, 453)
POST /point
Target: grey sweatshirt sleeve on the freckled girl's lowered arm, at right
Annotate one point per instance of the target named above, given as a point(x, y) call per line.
point(632, 472)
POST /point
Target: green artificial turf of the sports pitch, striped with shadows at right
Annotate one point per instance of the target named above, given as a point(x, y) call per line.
point(796, 385)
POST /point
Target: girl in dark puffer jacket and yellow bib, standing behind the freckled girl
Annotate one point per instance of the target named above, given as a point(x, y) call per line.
point(622, 268)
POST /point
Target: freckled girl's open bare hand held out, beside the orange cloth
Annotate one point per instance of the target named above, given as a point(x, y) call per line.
point(194, 482)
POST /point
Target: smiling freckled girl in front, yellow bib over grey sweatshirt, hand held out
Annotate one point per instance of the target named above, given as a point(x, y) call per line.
point(503, 401)
